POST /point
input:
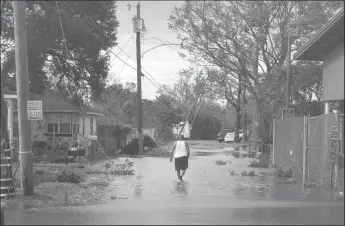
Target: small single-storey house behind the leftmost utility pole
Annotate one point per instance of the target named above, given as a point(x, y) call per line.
point(61, 119)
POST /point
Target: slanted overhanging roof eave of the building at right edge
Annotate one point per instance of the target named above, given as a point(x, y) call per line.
point(324, 41)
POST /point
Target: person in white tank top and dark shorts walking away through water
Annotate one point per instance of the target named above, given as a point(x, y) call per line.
point(180, 152)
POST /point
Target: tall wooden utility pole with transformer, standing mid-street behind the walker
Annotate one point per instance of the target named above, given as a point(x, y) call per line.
point(139, 100)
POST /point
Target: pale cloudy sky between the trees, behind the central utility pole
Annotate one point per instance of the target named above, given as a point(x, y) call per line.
point(162, 63)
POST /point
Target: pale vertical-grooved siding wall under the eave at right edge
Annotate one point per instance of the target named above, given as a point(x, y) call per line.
point(333, 75)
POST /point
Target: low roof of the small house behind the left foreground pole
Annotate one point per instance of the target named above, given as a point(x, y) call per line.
point(53, 102)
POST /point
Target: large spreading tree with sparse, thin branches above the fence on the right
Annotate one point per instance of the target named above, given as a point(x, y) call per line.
point(248, 40)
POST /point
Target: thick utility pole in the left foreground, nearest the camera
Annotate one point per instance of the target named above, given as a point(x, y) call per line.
point(22, 79)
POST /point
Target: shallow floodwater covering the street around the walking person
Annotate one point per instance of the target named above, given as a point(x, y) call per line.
point(209, 194)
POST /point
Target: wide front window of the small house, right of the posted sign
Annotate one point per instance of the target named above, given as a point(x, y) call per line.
point(61, 122)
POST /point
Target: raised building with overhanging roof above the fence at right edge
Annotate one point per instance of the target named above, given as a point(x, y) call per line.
point(327, 45)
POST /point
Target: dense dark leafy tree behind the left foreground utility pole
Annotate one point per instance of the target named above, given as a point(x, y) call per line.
point(49, 67)
